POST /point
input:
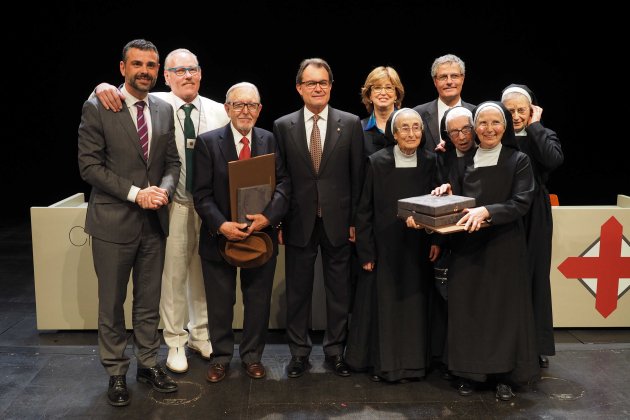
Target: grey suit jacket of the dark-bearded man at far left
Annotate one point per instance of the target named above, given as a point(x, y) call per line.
point(111, 161)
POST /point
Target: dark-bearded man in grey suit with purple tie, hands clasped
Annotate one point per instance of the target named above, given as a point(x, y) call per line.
point(130, 159)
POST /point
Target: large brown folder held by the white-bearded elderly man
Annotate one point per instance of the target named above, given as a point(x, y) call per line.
point(259, 170)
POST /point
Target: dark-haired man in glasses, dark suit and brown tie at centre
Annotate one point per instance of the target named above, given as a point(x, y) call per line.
point(323, 152)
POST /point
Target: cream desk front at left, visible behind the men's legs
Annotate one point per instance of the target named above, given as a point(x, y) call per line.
point(66, 290)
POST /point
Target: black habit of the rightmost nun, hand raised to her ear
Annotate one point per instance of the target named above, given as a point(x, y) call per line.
point(545, 153)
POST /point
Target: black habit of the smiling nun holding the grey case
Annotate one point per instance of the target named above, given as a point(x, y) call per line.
point(490, 317)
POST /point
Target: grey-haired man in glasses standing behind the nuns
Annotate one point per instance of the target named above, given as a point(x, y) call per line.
point(448, 73)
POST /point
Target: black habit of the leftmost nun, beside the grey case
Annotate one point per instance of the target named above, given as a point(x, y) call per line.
point(389, 322)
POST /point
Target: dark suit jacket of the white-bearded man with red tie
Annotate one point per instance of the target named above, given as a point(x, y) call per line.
point(213, 150)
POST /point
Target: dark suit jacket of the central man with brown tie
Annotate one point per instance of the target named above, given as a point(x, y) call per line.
point(338, 184)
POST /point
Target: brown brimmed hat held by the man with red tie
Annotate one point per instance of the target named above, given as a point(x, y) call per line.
point(251, 252)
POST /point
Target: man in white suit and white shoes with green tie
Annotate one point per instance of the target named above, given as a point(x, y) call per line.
point(183, 293)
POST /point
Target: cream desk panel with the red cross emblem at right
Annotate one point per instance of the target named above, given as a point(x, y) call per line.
point(590, 265)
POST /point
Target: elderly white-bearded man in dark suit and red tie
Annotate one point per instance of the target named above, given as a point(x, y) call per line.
point(213, 150)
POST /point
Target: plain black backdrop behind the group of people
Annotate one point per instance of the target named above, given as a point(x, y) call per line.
point(61, 52)
